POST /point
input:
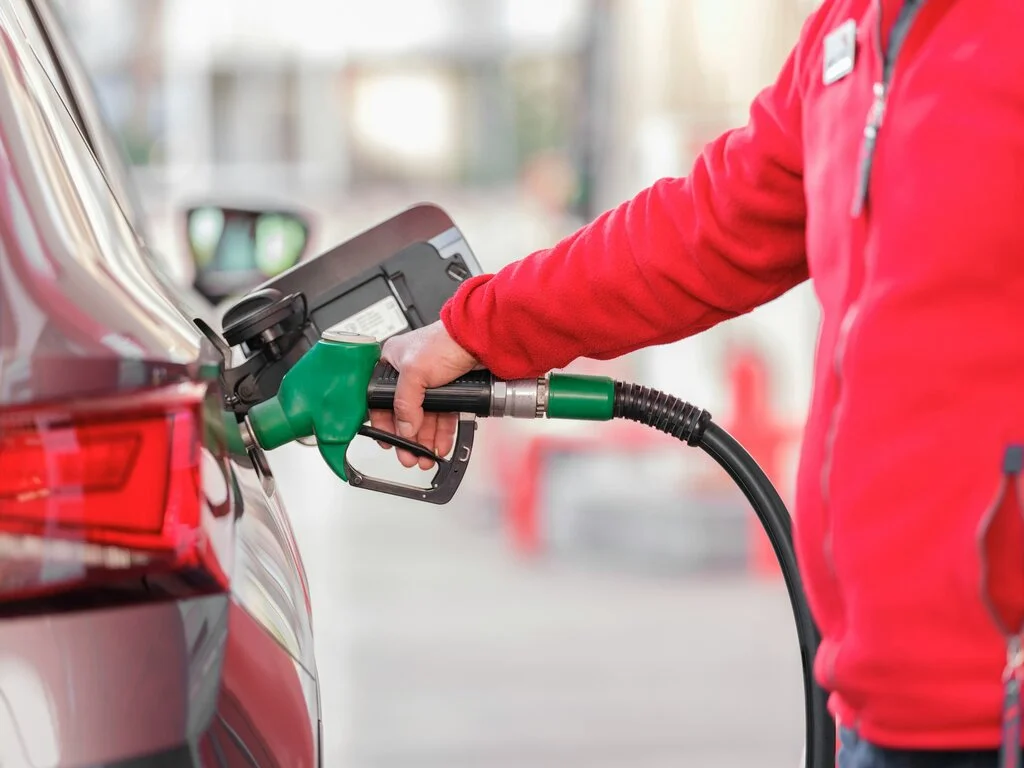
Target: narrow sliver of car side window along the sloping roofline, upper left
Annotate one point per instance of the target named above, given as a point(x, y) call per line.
point(58, 57)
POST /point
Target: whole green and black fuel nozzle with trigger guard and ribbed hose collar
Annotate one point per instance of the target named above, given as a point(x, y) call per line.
point(329, 393)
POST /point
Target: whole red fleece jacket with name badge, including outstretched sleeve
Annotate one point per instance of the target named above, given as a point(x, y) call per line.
point(919, 385)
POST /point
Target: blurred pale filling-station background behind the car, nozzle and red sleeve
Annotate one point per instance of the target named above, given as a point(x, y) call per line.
point(596, 596)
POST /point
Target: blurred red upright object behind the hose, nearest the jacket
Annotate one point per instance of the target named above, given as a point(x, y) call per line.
point(766, 439)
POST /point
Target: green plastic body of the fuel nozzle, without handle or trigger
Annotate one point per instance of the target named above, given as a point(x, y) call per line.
point(324, 396)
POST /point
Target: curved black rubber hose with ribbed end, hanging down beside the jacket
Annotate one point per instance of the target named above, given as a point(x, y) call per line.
point(695, 426)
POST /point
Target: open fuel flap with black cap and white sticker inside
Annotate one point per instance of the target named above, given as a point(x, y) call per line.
point(391, 279)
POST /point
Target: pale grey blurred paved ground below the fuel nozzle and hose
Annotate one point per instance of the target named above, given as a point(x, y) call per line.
point(438, 648)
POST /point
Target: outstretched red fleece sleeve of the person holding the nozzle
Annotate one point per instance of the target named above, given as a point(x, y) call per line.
point(678, 259)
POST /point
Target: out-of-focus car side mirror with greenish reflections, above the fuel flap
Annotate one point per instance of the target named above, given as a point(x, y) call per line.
point(237, 249)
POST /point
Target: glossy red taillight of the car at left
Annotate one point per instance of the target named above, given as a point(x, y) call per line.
point(102, 490)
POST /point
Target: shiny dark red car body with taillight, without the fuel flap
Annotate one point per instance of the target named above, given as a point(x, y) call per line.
point(154, 609)
